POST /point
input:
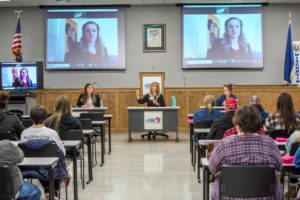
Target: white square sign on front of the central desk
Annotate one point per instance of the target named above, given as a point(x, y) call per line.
point(153, 120)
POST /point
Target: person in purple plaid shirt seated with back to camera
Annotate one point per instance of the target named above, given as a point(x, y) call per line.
point(235, 150)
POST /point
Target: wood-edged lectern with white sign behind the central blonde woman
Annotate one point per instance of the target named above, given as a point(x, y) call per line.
point(147, 78)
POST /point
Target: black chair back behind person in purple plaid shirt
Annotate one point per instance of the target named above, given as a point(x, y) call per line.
point(247, 181)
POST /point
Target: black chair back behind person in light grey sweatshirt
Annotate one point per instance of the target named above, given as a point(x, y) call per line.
point(49, 150)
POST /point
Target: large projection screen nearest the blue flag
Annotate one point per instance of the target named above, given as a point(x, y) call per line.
point(222, 36)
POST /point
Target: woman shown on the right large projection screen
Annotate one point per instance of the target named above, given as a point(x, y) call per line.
point(233, 45)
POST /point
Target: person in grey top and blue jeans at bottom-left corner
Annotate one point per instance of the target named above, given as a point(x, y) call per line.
point(10, 154)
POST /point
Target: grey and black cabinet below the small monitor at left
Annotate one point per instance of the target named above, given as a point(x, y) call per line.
point(21, 100)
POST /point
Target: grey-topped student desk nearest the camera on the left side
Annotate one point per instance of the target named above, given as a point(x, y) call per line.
point(39, 164)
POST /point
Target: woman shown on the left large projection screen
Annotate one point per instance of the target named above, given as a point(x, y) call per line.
point(90, 49)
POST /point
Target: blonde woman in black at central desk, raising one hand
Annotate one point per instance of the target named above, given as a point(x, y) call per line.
point(153, 99)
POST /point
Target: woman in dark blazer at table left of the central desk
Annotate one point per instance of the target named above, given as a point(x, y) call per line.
point(88, 99)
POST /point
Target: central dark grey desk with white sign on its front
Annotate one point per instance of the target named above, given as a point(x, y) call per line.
point(141, 119)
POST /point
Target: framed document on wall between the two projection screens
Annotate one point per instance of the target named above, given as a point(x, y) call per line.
point(154, 37)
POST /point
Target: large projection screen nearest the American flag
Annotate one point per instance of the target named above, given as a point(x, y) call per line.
point(85, 38)
